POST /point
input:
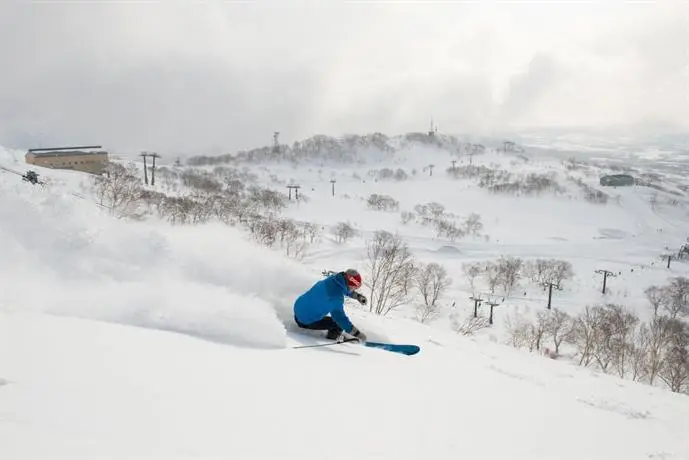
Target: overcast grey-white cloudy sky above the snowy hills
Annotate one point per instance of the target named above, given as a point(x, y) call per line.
point(197, 76)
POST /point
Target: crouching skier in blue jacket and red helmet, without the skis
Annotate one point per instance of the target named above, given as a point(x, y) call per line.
point(326, 297)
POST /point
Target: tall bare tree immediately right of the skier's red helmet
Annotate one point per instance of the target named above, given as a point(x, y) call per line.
point(391, 267)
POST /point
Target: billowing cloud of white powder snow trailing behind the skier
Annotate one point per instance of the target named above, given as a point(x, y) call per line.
point(64, 256)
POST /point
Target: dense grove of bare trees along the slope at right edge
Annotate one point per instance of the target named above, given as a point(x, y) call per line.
point(612, 338)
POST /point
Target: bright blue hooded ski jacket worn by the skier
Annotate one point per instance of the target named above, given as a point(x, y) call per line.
point(325, 297)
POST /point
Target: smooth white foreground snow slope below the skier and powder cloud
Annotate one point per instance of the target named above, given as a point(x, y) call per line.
point(78, 389)
